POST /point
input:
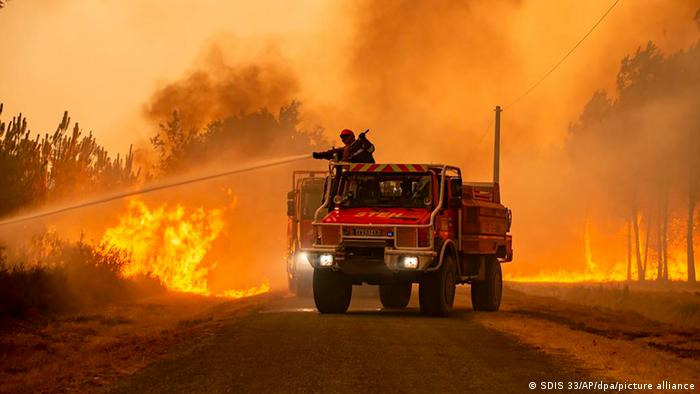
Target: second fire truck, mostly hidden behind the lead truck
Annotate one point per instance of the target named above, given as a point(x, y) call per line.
point(302, 203)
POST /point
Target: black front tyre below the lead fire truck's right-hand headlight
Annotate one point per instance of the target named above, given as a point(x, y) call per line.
point(436, 292)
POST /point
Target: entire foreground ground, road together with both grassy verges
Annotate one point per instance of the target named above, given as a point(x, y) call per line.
point(276, 342)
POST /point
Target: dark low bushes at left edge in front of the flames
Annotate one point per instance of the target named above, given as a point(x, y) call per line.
point(64, 276)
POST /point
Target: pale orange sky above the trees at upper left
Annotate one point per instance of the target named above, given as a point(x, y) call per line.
point(102, 60)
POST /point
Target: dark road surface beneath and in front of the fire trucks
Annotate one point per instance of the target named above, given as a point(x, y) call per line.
point(284, 345)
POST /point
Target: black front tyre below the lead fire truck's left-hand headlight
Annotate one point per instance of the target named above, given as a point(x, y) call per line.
point(332, 291)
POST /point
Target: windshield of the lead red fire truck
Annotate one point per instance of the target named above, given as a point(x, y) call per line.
point(385, 190)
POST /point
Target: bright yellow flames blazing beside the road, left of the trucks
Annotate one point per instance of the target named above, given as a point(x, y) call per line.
point(170, 245)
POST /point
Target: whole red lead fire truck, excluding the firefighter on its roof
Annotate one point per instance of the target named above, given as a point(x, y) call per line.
point(393, 225)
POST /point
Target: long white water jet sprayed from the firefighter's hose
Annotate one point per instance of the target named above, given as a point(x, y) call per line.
point(150, 189)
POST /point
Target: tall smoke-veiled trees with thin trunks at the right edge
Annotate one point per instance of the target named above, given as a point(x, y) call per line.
point(642, 148)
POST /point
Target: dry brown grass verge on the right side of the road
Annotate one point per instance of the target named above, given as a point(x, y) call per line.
point(606, 330)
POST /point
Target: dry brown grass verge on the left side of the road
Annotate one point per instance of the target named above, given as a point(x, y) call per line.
point(86, 350)
